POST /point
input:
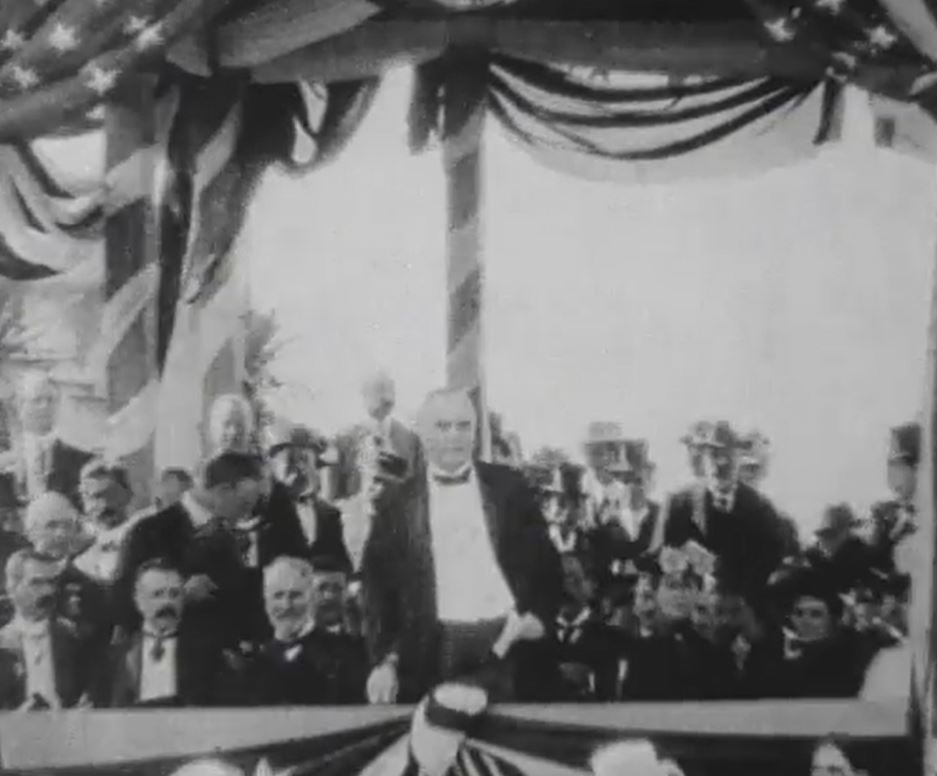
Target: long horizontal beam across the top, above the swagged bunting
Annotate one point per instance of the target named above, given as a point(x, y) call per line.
point(728, 49)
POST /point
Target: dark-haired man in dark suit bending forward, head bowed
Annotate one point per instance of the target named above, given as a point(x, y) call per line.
point(197, 536)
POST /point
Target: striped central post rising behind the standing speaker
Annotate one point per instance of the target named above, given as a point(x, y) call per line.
point(464, 107)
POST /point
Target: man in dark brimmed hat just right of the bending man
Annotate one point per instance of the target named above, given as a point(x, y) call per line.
point(295, 456)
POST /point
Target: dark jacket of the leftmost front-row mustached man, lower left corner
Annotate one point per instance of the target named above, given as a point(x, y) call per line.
point(70, 659)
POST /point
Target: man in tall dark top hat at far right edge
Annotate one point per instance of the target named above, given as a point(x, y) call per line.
point(894, 522)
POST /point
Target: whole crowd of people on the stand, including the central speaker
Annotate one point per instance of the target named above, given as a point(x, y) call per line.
point(294, 570)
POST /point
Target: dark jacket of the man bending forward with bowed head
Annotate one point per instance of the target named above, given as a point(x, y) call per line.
point(170, 534)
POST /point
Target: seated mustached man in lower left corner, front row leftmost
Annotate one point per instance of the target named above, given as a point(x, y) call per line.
point(43, 659)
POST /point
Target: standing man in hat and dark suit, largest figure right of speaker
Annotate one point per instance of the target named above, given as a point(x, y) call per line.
point(732, 520)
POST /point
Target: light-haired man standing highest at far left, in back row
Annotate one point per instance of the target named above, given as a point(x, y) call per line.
point(40, 460)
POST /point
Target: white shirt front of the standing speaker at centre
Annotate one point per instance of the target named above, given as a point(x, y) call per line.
point(469, 583)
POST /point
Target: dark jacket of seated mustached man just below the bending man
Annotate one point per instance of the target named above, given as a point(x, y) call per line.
point(201, 675)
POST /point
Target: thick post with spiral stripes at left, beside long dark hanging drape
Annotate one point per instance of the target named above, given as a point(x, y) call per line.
point(130, 274)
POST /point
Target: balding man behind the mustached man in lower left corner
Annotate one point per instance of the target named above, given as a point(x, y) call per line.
point(53, 527)
